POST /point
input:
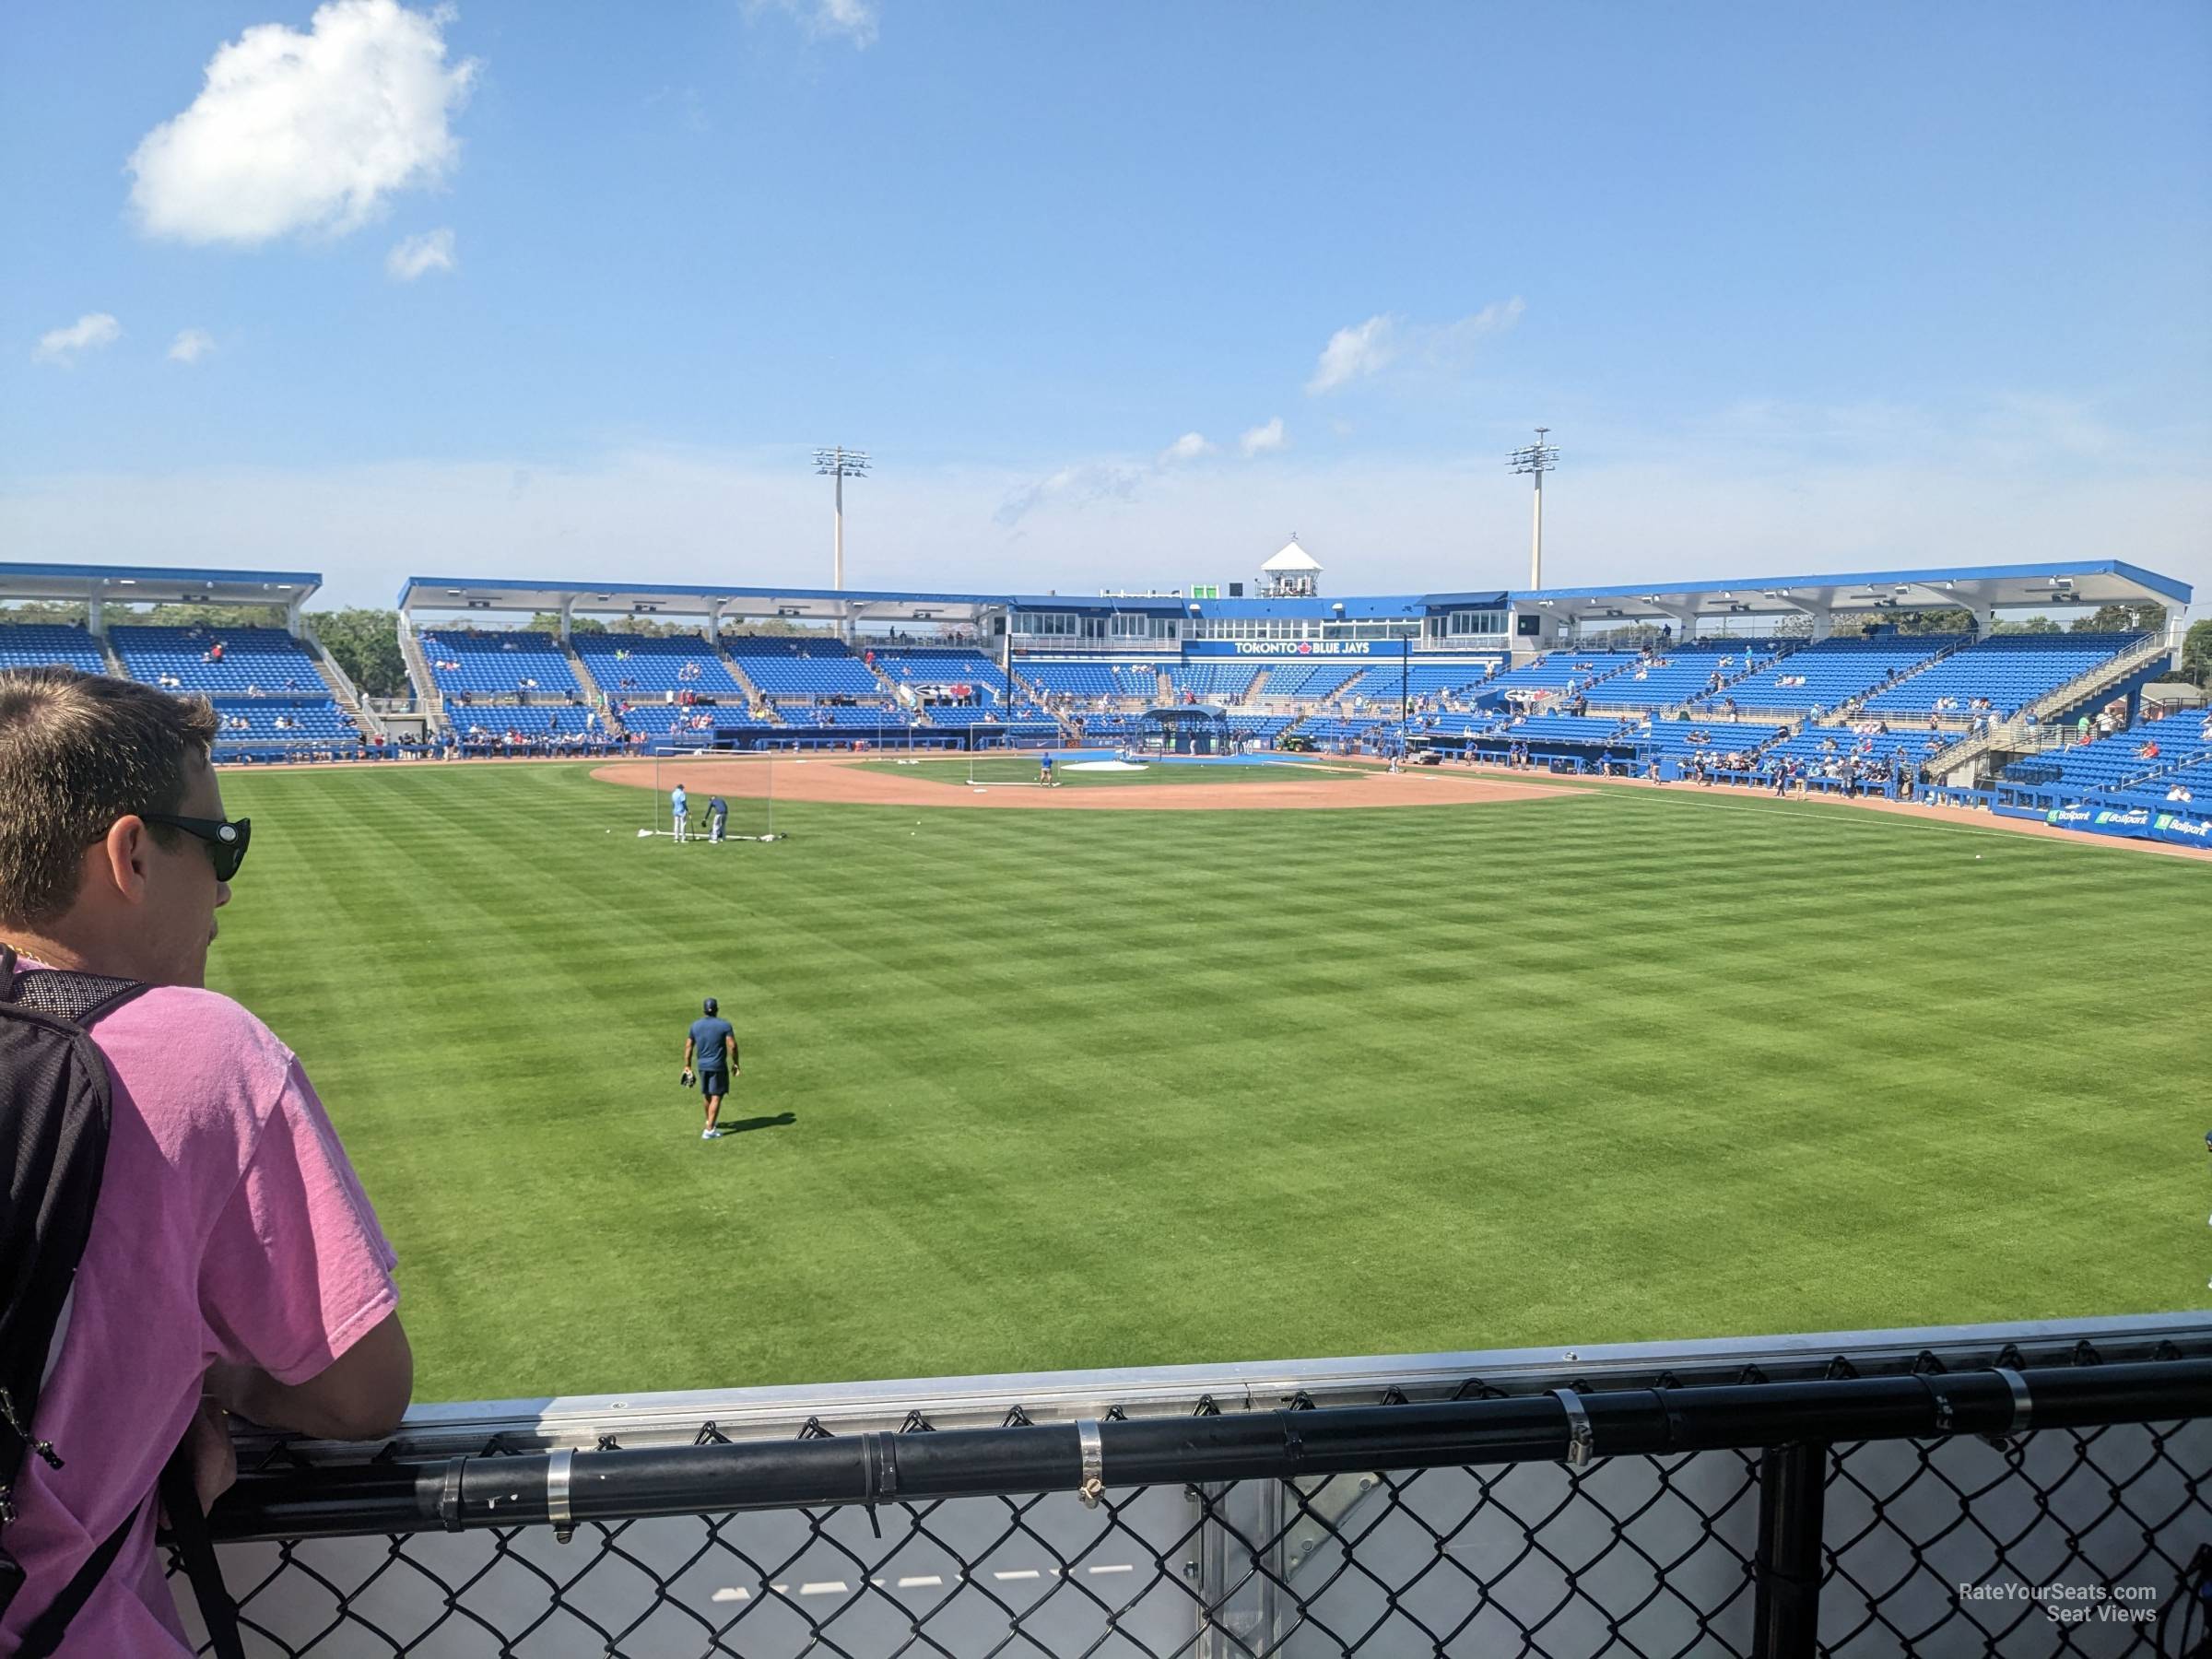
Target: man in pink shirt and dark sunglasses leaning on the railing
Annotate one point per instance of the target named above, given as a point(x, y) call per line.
point(233, 1253)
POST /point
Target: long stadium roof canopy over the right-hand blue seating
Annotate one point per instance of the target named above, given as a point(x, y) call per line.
point(1979, 587)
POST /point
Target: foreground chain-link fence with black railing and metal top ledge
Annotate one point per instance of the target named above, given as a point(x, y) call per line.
point(1970, 1492)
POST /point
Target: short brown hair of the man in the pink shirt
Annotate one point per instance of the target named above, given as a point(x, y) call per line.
point(76, 755)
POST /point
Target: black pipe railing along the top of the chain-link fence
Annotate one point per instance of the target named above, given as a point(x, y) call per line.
point(459, 1494)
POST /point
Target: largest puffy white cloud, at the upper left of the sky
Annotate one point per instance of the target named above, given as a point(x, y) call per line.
point(306, 132)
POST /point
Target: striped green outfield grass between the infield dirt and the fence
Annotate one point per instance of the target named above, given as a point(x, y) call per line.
point(1065, 1089)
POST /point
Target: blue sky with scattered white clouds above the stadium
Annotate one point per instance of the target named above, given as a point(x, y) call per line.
point(572, 291)
